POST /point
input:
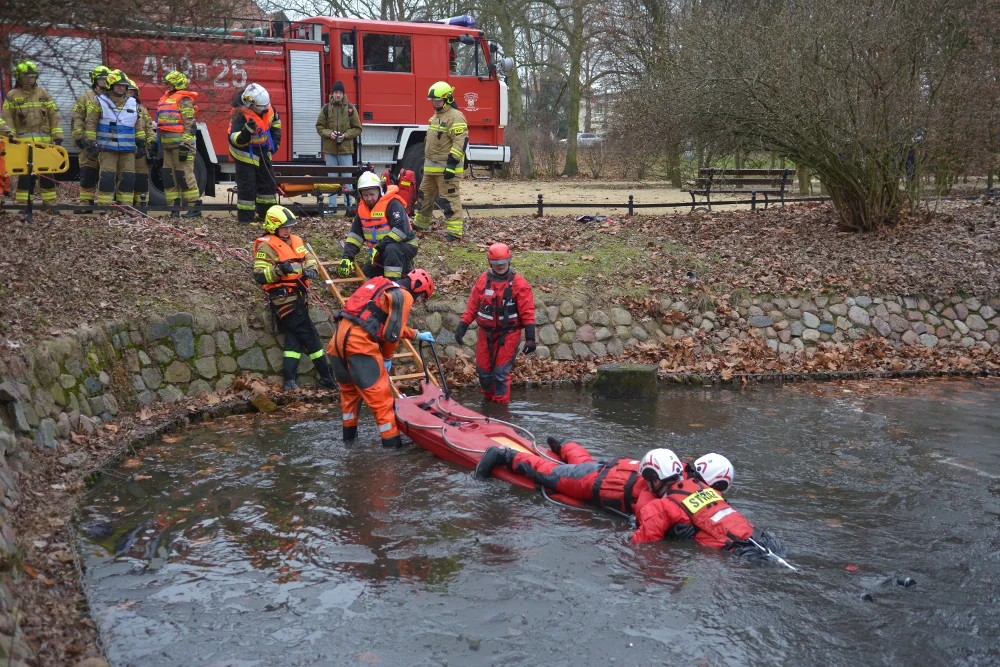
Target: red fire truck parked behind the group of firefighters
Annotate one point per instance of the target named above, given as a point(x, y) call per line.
point(386, 68)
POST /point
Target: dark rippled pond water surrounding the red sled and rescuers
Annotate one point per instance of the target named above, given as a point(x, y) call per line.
point(264, 540)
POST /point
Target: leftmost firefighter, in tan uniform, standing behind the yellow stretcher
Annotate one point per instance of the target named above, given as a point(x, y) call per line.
point(33, 115)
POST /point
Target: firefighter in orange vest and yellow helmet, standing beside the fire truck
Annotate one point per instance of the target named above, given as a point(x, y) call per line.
point(175, 127)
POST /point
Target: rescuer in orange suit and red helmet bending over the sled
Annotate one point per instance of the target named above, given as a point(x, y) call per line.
point(369, 328)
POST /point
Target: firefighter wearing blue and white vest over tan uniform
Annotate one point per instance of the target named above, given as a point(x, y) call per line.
point(111, 134)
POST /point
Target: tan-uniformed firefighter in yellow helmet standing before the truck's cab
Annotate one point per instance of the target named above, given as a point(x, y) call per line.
point(444, 161)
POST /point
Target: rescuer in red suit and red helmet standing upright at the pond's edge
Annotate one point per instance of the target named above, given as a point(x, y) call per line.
point(502, 304)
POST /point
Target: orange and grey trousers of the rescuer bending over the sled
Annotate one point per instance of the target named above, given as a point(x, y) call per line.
point(360, 372)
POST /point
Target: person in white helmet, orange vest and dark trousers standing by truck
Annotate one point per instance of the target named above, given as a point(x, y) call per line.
point(254, 135)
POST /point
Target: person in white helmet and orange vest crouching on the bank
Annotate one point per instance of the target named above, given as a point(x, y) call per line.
point(380, 232)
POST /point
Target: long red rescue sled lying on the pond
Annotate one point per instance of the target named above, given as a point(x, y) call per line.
point(455, 433)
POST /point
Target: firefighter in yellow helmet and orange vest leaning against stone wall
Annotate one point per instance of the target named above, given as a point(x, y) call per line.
point(283, 267)
